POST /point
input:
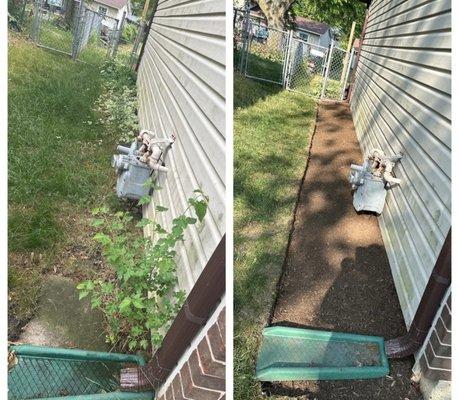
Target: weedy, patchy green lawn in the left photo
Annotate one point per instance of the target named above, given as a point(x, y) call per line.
point(59, 165)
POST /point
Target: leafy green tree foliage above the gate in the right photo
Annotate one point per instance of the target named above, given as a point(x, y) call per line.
point(336, 13)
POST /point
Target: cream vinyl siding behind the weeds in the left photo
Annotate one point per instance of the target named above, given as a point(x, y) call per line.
point(181, 84)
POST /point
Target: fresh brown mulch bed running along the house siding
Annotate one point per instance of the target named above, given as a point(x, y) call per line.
point(337, 274)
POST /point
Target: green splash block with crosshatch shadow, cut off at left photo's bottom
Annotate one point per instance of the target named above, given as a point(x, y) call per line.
point(57, 373)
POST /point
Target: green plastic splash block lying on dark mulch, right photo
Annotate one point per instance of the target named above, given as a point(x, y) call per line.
point(304, 354)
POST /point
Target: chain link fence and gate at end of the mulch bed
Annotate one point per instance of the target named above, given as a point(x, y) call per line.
point(277, 56)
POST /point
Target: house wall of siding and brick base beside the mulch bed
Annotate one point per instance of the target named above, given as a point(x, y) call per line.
point(401, 102)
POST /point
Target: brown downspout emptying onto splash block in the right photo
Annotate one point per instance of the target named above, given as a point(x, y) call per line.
point(436, 288)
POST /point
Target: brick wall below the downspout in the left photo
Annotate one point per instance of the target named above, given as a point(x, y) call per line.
point(202, 376)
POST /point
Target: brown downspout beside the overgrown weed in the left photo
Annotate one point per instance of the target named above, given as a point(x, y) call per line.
point(198, 307)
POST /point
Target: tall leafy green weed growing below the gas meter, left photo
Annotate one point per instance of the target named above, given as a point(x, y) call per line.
point(140, 303)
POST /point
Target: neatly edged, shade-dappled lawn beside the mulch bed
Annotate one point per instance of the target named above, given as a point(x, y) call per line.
point(272, 129)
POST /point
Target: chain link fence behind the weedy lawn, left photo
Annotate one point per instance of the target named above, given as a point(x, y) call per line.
point(74, 28)
